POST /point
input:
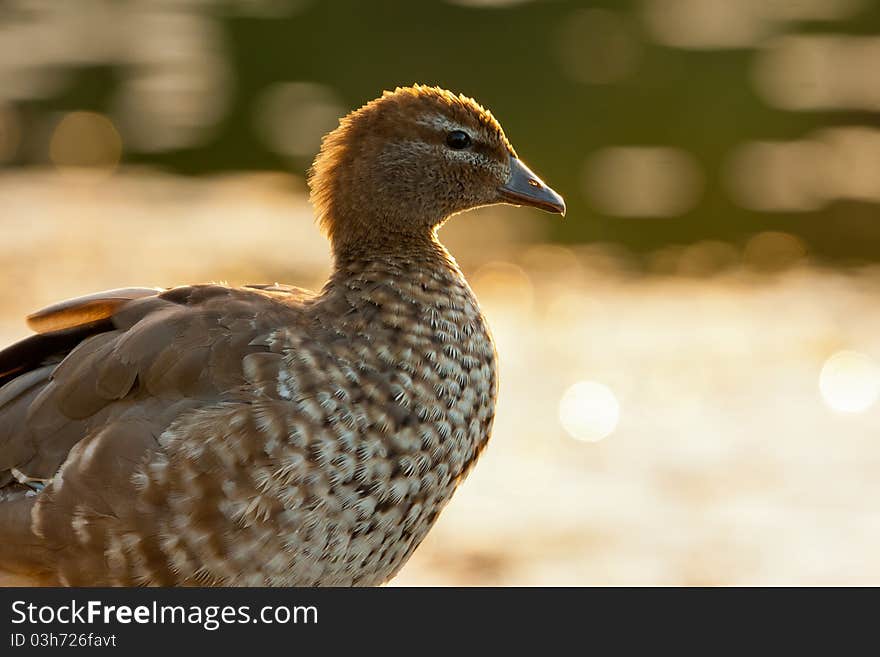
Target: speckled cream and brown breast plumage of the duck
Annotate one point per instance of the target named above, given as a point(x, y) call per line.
point(363, 423)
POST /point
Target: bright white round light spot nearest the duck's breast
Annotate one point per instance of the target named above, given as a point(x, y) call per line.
point(589, 411)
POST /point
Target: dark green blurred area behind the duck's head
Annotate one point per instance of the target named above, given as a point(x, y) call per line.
point(700, 101)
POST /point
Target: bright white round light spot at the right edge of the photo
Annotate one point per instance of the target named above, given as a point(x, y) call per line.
point(850, 382)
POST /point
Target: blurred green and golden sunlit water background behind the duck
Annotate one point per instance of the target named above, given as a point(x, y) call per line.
point(690, 360)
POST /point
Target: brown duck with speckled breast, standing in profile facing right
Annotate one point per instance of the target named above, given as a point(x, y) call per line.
point(266, 435)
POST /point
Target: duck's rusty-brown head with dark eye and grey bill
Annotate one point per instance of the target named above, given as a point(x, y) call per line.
point(399, 166)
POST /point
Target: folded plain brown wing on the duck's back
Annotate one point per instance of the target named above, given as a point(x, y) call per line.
point(97, 353)
